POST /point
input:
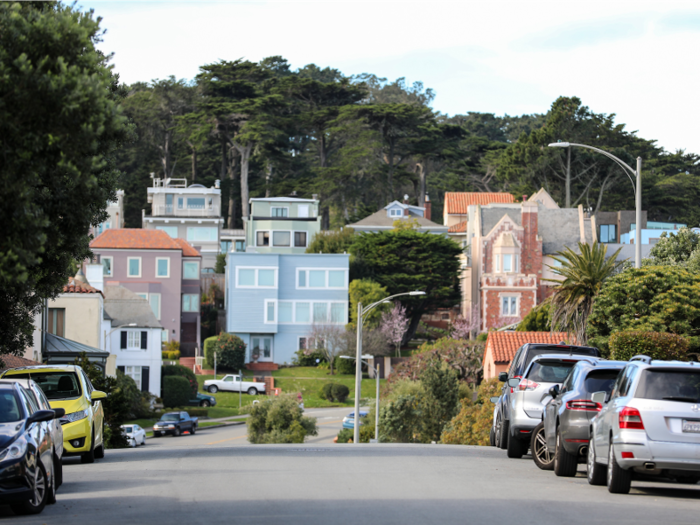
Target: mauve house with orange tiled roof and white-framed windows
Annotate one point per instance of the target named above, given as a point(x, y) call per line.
point(163, 270)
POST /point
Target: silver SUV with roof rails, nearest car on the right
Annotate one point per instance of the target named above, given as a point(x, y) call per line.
point(649, 423)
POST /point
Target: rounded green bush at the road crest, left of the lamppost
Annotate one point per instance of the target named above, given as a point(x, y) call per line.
point(279, 420)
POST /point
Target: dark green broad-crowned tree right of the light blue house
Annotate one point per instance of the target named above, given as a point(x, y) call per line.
point(407, 260)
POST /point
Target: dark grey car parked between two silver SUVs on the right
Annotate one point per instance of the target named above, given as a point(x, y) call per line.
point(560, 442)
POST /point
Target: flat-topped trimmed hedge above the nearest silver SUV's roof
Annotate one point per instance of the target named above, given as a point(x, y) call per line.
point(657, 345)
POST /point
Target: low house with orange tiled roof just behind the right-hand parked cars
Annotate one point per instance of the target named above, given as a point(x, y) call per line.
point(501, 347)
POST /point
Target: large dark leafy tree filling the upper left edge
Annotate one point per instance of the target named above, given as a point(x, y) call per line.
point(60, 126)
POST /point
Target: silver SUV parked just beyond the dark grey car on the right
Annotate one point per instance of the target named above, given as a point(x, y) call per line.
point(531, 394)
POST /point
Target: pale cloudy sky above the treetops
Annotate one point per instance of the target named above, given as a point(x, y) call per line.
point(637, 59)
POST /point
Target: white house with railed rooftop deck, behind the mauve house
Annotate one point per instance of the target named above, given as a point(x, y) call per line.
point(191, 213)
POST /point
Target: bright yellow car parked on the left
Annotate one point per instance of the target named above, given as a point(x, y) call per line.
point(68, 387)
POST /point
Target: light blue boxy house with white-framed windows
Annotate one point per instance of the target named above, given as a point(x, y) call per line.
point(274, 299)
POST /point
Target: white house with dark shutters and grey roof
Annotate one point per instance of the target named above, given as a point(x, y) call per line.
point(134, 337)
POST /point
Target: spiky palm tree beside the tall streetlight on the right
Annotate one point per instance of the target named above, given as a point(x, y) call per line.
point(582, 275)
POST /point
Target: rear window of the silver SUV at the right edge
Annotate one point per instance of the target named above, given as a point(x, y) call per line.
point(670, 385)
